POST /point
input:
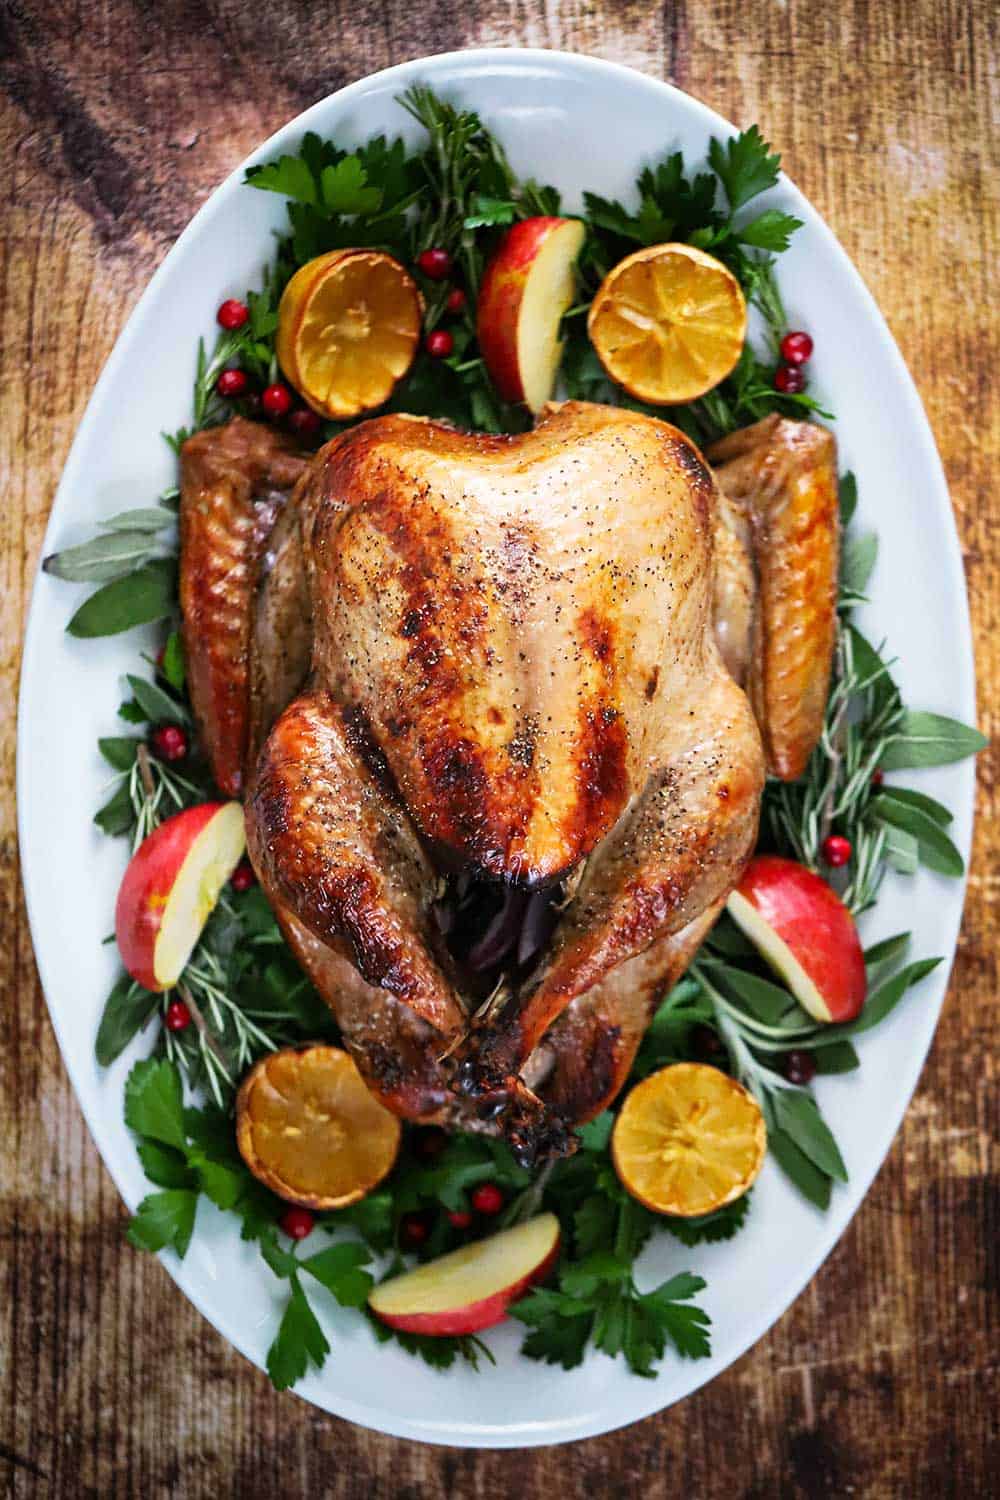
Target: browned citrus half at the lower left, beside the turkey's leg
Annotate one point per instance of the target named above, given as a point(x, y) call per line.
point(310, 1129)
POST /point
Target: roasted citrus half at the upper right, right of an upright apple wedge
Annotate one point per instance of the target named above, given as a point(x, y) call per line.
point(669, 323)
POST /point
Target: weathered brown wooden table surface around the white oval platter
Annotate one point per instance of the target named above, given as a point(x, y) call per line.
point(118, 119)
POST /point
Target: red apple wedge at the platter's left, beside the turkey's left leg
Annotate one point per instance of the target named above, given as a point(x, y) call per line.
point(172, 886)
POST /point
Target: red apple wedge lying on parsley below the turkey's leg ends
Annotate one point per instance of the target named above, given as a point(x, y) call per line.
point(472, 1288)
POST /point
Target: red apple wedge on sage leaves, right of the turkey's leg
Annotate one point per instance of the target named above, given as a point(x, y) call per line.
point(806, 934)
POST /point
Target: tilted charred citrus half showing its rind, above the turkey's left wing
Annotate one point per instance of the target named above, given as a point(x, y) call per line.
point(349, 328)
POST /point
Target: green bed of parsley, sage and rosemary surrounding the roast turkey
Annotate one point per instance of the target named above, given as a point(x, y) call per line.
point(245, 991)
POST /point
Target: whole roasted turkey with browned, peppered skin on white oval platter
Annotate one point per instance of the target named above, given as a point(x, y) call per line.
point(521, 659)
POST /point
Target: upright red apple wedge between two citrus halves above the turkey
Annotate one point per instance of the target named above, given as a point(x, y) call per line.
point(527, 289)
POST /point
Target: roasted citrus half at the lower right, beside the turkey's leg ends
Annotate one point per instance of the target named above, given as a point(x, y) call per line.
point(689, 1141)
